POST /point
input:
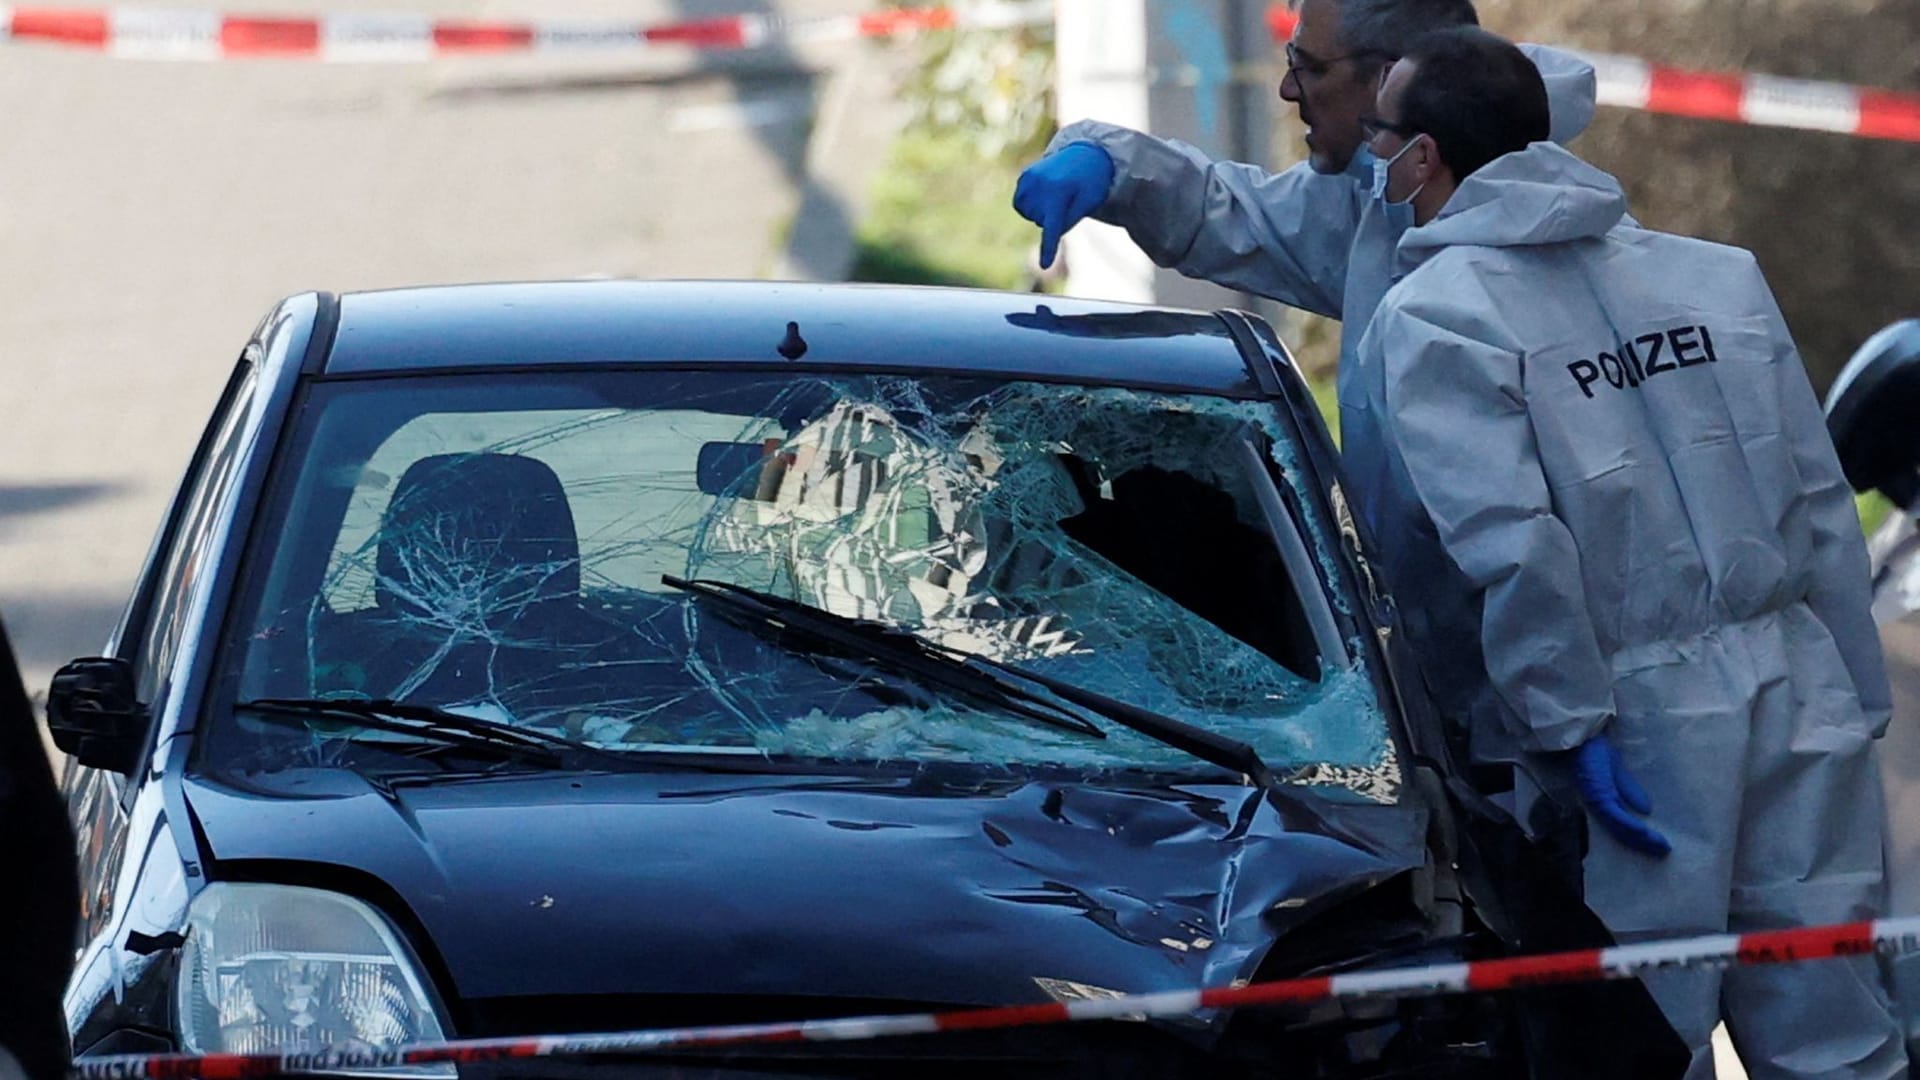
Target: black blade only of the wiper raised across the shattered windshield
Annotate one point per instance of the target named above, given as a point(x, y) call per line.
point(890, 647)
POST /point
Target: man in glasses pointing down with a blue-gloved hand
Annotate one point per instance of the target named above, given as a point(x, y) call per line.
point(1312, 237)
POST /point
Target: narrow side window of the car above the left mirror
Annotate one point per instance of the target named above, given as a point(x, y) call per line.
point(158, 624)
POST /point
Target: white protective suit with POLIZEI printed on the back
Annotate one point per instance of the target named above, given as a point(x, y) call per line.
point(1604, 453)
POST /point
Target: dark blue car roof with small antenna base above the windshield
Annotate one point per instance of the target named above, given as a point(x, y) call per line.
point(875, 328)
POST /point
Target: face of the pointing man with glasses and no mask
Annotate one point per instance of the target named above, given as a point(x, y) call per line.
point(1332, 86)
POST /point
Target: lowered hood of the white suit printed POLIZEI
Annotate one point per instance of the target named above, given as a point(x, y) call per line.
point(1541, 195)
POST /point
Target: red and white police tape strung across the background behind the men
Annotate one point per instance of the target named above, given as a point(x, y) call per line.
point(166, 34)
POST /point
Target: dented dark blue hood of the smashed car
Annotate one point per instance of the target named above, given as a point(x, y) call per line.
point(876, 889)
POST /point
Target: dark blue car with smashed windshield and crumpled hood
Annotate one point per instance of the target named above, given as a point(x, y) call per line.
point(569, 658)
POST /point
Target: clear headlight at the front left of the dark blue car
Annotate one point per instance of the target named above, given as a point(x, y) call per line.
point(297, 970)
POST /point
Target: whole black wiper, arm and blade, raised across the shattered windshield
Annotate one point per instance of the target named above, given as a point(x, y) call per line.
point(905, 649)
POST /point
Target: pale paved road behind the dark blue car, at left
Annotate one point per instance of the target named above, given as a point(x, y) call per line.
point(153, 212)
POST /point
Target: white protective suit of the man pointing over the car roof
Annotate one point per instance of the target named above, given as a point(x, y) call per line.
point(1310, 241)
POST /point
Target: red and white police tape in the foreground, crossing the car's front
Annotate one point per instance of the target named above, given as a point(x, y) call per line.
point(1894, 937)
